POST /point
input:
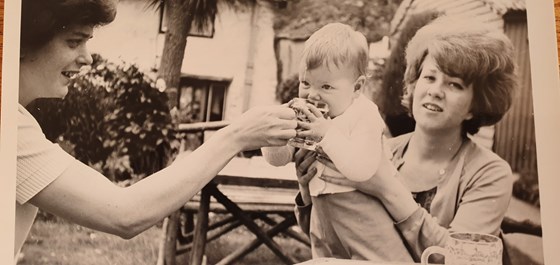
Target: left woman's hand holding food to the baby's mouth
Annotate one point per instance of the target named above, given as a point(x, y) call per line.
point(263, 126)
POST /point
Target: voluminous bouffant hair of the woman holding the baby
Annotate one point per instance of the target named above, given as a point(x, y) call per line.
point(478, 54)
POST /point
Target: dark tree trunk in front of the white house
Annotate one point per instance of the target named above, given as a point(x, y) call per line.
point(179, 17)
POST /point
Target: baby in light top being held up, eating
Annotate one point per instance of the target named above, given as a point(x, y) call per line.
point(332, 73)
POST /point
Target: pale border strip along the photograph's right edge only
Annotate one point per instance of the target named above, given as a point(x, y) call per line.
point(546, 98)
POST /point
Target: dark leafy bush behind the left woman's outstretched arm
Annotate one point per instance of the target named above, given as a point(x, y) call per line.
point(113, 119)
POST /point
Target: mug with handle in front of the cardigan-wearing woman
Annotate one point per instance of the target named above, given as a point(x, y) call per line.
point(463, 248)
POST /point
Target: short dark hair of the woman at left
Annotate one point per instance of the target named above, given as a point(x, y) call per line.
point(41, 20)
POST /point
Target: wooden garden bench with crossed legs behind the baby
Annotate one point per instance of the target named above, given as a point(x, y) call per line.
point(244, 204)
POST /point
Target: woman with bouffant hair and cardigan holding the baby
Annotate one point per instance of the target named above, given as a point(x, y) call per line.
point(459, 76)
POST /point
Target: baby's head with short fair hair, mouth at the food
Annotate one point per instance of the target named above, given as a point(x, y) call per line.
point(333, 67)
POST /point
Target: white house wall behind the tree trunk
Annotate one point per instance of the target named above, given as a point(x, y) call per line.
point(133, 38)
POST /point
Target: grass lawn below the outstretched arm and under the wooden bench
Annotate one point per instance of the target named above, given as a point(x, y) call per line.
point(61, 243)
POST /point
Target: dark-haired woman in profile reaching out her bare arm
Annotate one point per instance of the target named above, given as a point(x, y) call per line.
point(54, 35)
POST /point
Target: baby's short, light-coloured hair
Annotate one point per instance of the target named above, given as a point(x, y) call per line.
point(336, 44)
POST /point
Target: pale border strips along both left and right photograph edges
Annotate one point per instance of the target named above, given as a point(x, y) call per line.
point(546, 95)
